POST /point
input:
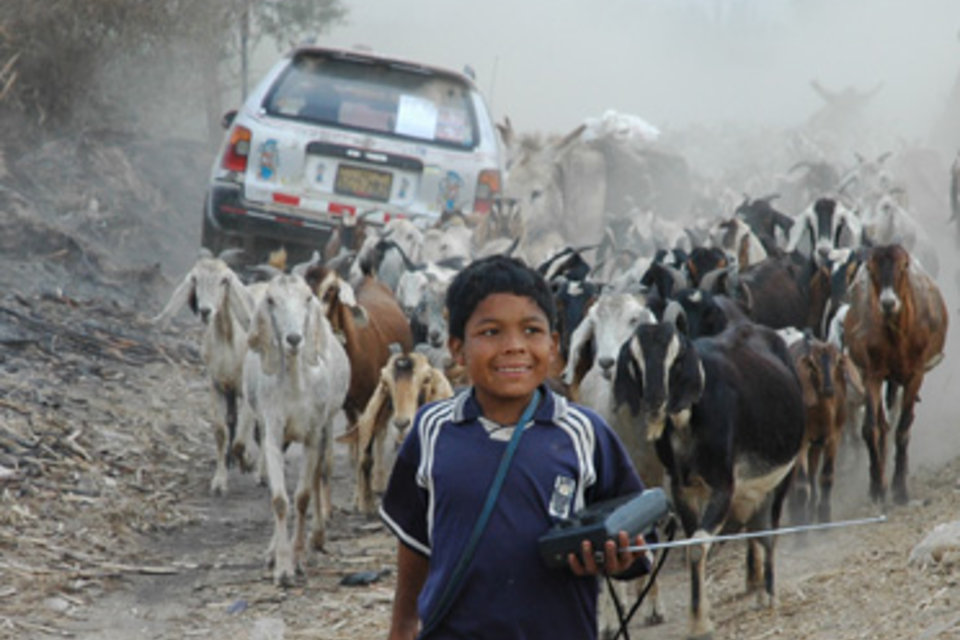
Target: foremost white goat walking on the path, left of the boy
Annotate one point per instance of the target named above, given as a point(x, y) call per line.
point(295, 381)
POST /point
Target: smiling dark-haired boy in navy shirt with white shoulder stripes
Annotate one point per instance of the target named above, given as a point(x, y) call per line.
point(502, 317)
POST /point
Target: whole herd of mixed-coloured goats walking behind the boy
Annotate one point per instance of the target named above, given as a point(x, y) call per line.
point(734, 366)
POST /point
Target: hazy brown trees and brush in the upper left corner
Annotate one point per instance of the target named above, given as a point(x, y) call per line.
point(117, 63)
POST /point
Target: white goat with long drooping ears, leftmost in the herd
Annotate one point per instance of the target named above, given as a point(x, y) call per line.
point(215, 293)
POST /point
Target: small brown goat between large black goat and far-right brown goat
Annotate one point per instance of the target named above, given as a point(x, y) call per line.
point(823, 372)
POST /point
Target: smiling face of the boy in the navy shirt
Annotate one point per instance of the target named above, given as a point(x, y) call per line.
point(508, 350)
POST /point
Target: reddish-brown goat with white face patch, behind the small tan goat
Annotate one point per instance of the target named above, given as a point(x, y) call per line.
point(368, 321)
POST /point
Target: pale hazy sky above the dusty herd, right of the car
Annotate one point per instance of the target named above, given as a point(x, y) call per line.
point(550, 64)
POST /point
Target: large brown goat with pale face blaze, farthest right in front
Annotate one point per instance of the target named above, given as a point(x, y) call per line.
point(895, 331)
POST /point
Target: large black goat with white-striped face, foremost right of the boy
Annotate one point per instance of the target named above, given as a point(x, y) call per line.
point(727, 417)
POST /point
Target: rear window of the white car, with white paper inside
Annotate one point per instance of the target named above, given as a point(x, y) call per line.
point(376, 97)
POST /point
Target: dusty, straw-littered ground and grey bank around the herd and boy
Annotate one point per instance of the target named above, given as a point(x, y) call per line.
point(107, 527)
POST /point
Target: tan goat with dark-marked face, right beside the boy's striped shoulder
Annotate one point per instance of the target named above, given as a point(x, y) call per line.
point(407, 382)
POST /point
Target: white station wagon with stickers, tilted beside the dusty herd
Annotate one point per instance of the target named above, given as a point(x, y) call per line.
point(331, 133)
